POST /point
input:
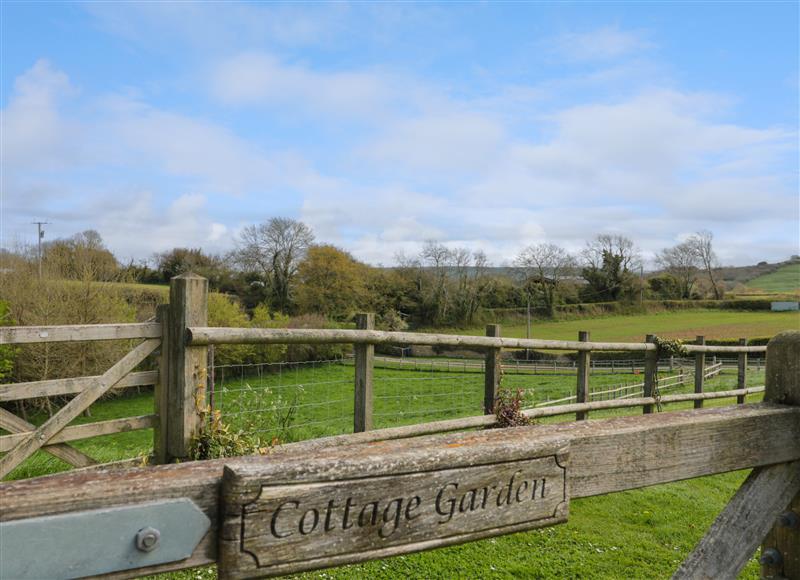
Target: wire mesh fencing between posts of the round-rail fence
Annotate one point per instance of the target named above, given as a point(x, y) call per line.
point(303, 400)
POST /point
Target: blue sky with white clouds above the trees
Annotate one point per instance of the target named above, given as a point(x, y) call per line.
point(489, 126)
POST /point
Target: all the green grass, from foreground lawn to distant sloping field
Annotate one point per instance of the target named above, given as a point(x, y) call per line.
point(637, 534)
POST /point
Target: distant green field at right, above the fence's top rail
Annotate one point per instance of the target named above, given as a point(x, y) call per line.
point(681, 324)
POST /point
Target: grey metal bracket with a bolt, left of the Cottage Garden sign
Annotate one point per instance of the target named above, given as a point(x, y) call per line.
point(94, 542)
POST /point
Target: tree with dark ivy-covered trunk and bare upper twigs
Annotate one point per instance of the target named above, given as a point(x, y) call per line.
point(609, 264)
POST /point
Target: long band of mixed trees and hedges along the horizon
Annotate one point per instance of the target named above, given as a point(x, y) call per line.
point(279, 264)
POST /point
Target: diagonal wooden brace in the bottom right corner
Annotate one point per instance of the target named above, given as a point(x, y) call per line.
point(739, 529)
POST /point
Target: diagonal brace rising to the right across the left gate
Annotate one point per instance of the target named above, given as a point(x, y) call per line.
point(76, 406)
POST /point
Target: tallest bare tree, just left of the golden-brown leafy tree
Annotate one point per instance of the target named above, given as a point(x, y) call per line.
point(274, 249)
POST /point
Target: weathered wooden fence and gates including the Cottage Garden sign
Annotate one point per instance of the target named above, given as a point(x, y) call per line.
point(265, 516)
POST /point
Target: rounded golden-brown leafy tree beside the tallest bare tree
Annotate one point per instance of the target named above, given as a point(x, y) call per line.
point(331, 282)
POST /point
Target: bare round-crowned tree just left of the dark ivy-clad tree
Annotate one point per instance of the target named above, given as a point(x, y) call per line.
point(544, 267)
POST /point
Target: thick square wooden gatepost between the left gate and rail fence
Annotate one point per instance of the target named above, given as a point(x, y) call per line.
point(188, 365)
